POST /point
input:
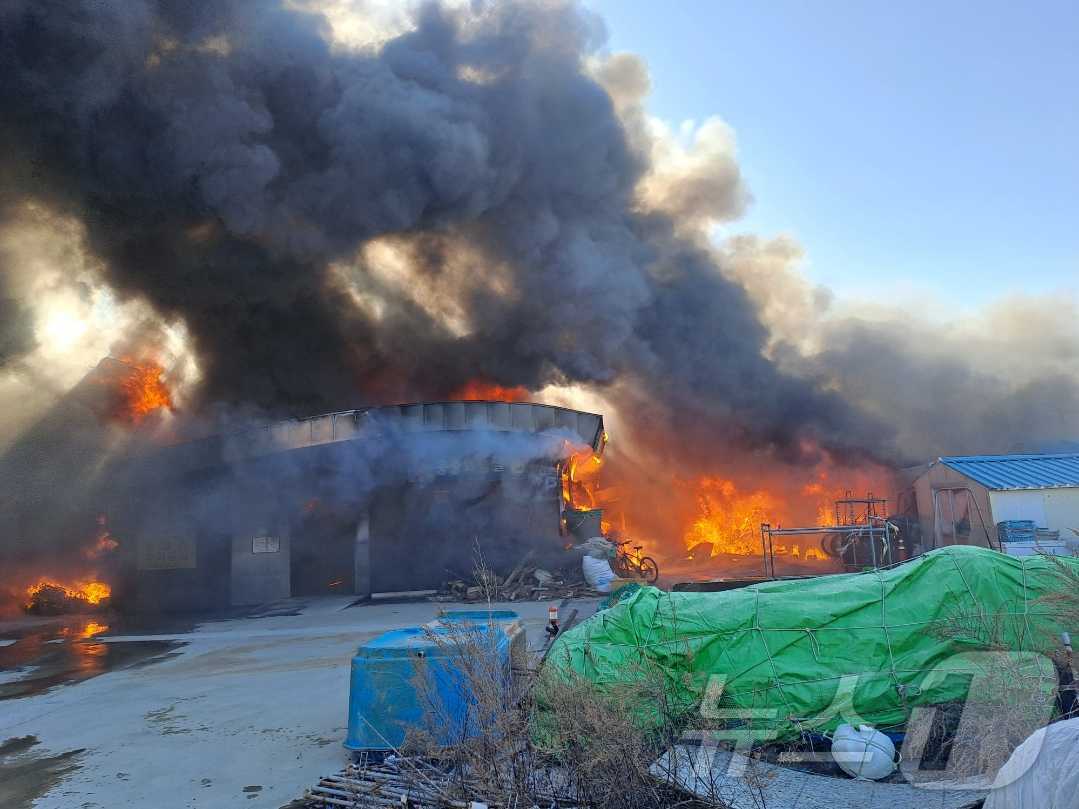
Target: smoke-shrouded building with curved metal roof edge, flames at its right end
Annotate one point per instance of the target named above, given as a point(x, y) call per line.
point(380, 500)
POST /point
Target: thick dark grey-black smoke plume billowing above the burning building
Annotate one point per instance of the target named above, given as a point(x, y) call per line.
point(234, 169)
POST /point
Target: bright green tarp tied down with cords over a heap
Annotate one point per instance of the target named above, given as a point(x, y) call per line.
point(812, 652)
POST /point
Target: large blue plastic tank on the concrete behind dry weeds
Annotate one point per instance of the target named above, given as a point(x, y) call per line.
point(384, 700)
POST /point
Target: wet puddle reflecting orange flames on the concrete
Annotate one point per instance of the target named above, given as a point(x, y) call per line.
point(45, 657)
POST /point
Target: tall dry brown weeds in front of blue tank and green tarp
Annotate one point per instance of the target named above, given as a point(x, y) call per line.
point(553, 739)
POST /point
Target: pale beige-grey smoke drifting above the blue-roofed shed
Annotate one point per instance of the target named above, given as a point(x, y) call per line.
point(998, 380)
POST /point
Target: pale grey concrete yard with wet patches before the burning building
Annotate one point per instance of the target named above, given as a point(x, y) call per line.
point(240, 712)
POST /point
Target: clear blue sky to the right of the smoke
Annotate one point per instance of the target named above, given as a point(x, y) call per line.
point(925, 146)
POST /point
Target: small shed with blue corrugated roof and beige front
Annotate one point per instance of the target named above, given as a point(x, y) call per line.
point(964, 499)
